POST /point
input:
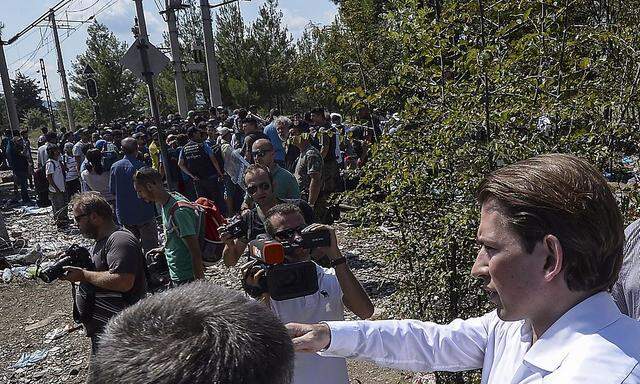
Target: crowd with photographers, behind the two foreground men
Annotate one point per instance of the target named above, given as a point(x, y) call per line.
point(269, 178)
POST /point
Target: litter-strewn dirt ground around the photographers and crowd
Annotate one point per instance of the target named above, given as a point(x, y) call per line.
point(42, 308)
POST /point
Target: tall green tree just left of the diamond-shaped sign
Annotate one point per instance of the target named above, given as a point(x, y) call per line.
point(116, 87)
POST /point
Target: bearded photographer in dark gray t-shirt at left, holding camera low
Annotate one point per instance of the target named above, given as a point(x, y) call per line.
point(117, 279)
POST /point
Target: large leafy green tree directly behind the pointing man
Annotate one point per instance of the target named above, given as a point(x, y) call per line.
point(479, 85)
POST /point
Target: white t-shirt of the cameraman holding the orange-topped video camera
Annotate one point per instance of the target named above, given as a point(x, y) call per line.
point(324, 305)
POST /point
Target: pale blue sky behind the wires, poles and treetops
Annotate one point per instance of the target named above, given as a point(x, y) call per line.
point(17, 14)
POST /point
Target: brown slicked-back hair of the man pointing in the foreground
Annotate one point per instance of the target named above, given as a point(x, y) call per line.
point(567, 197)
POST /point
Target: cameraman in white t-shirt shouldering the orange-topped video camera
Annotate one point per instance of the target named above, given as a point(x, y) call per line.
point(336, 286)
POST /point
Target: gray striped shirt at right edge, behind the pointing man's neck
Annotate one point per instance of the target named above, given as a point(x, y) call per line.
point(626, 291)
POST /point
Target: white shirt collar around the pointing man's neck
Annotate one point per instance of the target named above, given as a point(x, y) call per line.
point(587, 317)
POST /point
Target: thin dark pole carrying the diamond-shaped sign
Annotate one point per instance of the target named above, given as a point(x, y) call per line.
point(143, 41)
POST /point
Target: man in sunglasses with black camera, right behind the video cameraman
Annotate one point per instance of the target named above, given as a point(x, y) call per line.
point(250, 224)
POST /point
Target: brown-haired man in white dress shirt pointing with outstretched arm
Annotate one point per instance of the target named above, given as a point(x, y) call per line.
point(551, 238)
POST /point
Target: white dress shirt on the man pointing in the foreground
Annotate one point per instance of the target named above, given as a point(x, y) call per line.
point(591, 343)
